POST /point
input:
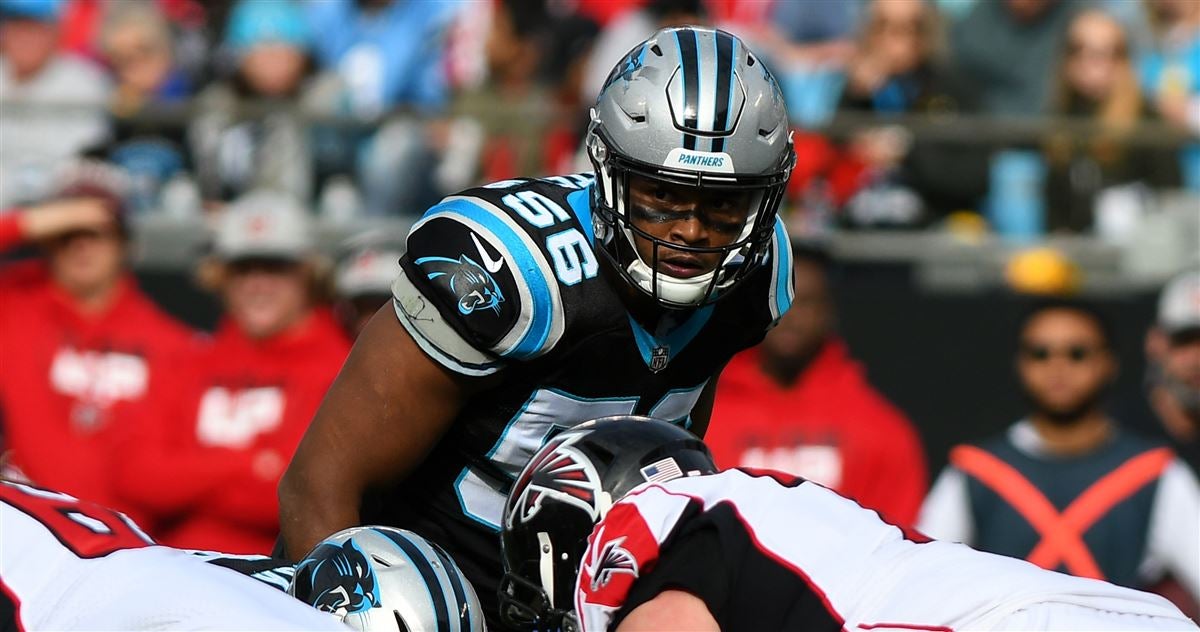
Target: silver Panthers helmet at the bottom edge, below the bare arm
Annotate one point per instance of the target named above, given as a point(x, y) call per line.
point(379, 579)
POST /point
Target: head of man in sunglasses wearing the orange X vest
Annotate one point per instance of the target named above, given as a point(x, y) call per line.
point(1064, 363)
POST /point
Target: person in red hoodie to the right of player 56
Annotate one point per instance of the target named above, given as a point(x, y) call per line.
point(799, 404)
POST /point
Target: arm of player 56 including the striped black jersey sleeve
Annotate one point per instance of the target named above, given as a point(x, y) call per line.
point(458, 317)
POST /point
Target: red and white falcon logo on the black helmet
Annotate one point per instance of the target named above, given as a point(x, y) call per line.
point(562, 473)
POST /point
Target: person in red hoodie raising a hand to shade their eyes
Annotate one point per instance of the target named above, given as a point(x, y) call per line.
point(82, 347)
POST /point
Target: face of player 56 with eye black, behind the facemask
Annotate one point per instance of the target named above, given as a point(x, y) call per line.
point(686, 216)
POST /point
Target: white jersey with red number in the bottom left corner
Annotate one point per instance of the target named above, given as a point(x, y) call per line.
point(68, 564)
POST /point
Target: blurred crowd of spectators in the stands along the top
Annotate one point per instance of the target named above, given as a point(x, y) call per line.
point(381, 107)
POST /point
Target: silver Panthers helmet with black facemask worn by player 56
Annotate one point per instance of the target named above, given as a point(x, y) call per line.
point(691, 106)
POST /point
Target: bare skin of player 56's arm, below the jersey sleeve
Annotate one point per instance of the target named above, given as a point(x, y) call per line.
point(386, 411)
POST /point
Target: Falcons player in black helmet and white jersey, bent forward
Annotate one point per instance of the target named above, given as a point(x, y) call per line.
point(626, 525)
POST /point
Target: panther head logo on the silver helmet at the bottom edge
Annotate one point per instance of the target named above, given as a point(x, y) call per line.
point(340, 580)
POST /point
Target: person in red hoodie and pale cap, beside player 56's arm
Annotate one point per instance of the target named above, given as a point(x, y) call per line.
point(231, 426)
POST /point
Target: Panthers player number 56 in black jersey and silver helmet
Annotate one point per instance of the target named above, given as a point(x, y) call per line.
point(526, 306)
